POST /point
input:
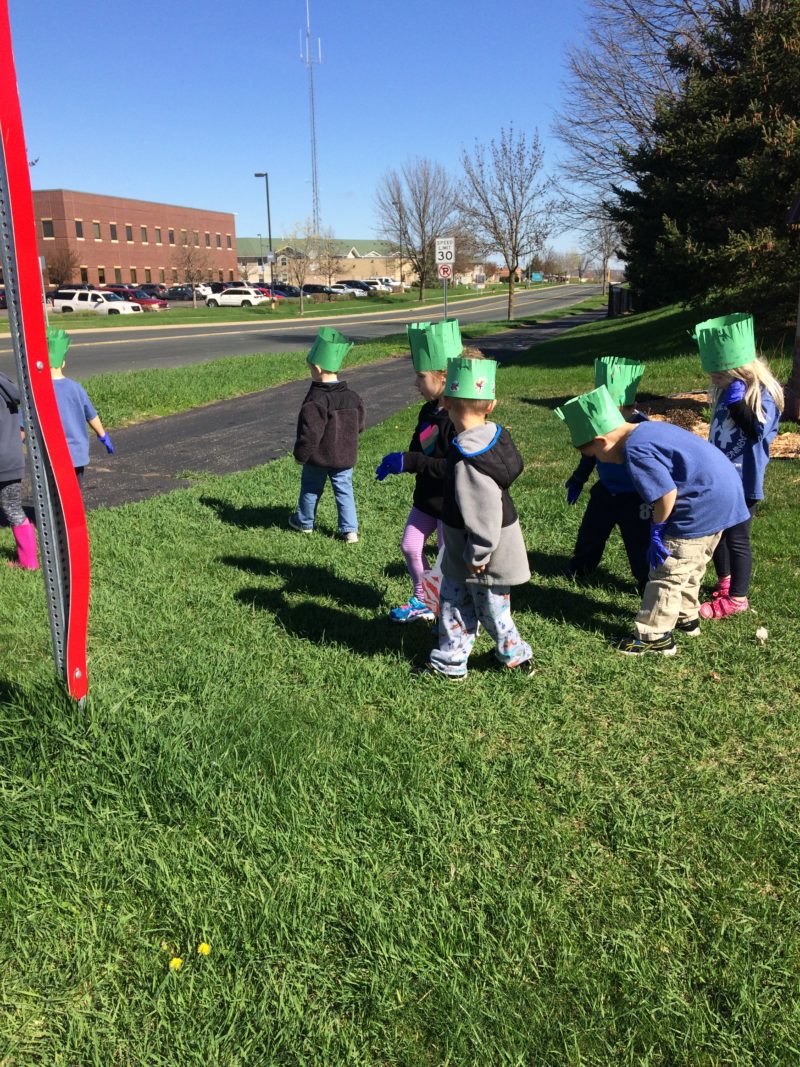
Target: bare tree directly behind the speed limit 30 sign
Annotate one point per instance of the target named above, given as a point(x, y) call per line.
point(415, 206)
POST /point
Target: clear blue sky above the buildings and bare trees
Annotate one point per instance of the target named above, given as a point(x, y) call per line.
point(182, 103)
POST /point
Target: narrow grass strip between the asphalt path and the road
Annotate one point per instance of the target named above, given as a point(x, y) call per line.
point(136, 395)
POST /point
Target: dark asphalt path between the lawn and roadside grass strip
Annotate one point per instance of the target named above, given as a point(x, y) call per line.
point(251, 431)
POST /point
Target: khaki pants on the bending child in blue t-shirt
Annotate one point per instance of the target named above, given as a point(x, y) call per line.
point(674, 588)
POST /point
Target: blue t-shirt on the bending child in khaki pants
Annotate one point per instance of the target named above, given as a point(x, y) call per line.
point(661, 457)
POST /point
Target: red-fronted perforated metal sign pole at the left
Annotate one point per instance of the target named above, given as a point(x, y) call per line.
point(60, 516)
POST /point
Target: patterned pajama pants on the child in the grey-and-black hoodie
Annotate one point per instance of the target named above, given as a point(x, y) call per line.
point(462, 609)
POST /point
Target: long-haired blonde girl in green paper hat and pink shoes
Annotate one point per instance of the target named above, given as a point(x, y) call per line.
point(747, 403)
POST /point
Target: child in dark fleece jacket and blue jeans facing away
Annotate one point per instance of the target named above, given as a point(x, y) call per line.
point(330, 422)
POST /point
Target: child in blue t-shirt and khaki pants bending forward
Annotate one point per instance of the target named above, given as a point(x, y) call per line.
point(695, 493)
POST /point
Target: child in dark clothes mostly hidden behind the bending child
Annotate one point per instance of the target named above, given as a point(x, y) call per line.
point(613, 499)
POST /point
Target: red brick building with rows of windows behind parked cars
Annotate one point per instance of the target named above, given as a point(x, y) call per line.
point(117, 241)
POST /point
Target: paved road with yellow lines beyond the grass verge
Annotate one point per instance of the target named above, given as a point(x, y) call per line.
point(134, 348)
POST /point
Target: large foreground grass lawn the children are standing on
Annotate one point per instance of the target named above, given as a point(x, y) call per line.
point(595, 867)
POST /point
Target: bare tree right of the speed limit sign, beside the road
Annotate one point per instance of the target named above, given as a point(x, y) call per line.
point(505, 201)
